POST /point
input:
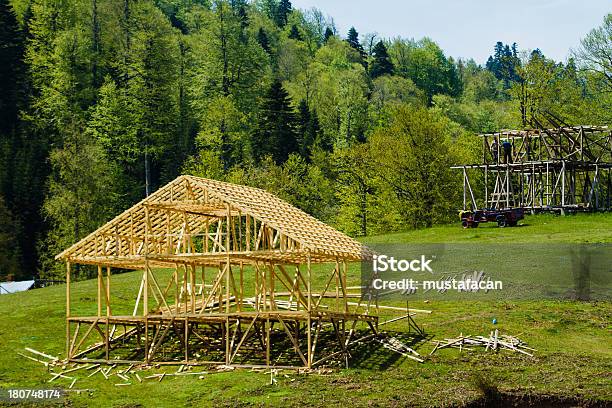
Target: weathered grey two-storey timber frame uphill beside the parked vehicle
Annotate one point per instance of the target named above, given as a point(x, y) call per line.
point(565, 169)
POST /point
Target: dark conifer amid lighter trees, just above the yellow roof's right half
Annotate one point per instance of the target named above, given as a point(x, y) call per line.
point(276, 135)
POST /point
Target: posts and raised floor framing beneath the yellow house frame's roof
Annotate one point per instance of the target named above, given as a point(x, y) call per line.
point(203, 301)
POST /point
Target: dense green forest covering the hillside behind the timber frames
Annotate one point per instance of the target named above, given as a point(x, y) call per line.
point(104, 101)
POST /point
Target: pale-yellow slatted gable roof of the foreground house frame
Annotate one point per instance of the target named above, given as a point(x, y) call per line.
point(202, 197)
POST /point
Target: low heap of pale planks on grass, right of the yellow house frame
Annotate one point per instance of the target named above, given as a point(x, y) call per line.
point(493, 342)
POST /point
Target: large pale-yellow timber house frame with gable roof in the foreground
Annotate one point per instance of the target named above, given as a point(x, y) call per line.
point(230, 275)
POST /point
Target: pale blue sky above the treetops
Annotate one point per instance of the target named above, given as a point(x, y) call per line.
point(470, 28)
